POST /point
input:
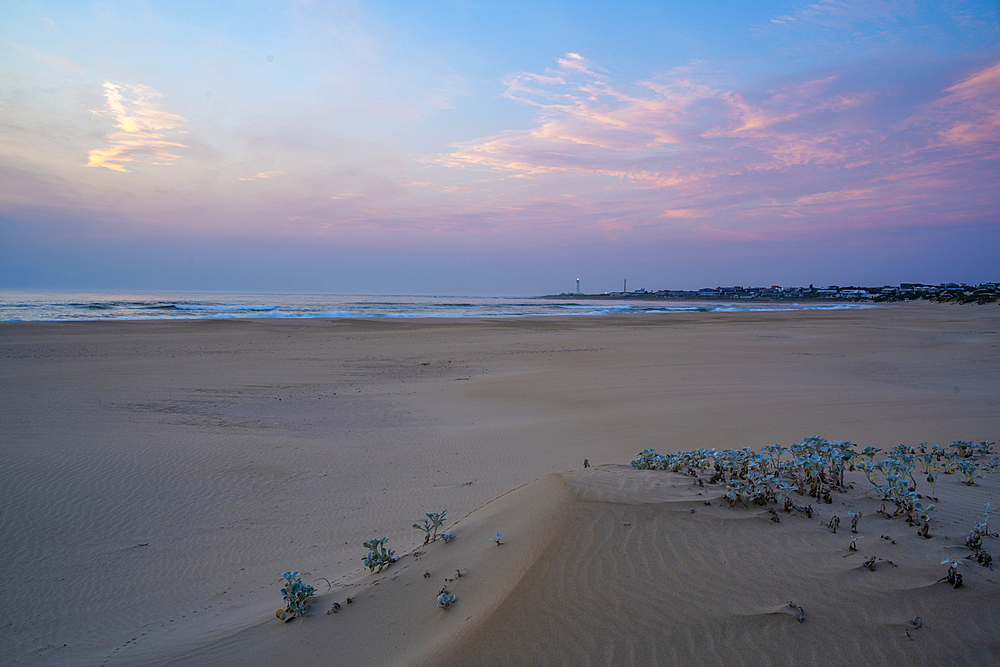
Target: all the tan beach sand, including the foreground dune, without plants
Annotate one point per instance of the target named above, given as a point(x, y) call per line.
point(157, 477)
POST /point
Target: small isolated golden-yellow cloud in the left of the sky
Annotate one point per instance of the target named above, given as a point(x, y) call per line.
point(143, 128)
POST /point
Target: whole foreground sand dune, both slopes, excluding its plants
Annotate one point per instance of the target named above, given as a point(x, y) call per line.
point(618, 566)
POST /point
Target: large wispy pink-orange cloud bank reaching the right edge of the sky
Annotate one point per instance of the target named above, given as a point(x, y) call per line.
point(841, 142)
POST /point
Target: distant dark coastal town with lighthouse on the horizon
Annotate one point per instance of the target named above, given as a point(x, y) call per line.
point(946, 292)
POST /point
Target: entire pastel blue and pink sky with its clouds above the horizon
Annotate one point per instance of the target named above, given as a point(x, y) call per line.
point(497, 148)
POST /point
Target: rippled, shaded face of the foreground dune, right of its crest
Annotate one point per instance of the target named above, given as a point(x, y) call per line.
point(638, 578)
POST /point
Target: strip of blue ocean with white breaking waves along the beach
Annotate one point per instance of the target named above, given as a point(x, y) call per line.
point(52, 306)
